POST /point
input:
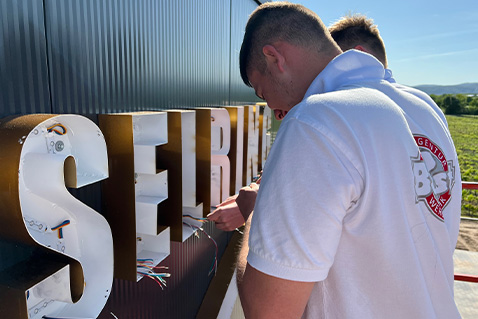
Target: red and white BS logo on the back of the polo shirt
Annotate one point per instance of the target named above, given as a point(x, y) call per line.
point(434, 176)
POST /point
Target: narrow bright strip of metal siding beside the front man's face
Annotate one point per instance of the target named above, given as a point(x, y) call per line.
point(239, 92)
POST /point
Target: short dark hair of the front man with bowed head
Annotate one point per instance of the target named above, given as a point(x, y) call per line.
point(281, 21)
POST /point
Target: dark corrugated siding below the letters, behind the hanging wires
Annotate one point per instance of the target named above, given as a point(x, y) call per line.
point(189, 264)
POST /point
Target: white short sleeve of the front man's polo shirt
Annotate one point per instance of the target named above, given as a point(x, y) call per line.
point(309, 184)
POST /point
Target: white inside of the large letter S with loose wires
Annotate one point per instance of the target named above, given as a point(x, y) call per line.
point(57, 220)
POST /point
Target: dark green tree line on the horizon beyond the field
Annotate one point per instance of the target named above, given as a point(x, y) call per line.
point(457, 103)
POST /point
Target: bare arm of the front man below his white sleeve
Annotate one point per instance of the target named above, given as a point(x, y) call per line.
point(264, 296)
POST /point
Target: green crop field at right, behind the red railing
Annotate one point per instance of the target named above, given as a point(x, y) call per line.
point(464, 131)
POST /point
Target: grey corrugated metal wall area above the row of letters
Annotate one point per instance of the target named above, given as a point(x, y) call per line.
point(90, 57)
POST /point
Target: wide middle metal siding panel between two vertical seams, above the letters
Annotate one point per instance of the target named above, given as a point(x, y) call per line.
point(131, 55)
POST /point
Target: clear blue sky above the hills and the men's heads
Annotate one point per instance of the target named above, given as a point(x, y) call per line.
point(427, 41)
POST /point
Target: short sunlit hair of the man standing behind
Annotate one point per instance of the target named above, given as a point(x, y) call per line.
point(352, 30)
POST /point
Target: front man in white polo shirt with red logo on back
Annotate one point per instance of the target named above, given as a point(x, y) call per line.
point(350, 216)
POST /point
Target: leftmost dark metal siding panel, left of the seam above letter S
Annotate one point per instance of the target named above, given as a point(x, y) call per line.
point(23, 63)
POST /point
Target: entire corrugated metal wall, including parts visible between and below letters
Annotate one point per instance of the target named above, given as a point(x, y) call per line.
point(90, 57)
